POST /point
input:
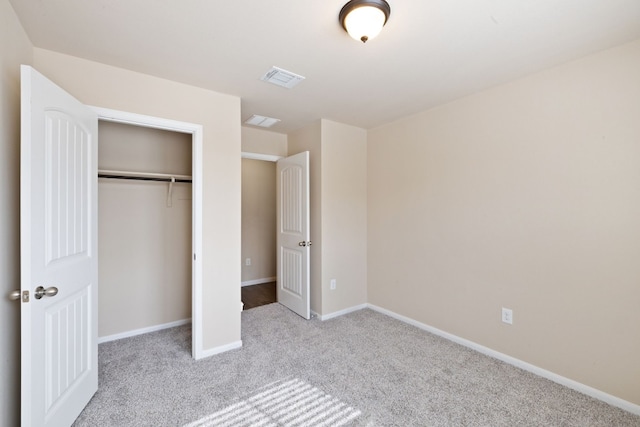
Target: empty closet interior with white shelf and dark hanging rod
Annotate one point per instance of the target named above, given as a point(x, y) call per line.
point(145, 229)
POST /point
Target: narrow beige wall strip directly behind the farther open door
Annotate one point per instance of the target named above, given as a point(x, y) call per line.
point(309, 139)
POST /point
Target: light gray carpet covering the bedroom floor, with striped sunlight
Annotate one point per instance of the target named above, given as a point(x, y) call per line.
point(361, 369)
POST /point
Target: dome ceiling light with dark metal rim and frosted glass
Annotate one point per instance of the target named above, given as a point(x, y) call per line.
point(364, 19)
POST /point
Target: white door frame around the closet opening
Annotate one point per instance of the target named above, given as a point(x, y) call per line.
point(196, 131)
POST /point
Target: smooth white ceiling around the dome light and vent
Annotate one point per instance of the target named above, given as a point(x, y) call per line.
point(430, 52)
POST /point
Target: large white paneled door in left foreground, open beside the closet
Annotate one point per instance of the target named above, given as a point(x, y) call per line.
point(58, 233)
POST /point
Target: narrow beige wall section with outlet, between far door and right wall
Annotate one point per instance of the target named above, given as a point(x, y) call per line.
point(344, 216)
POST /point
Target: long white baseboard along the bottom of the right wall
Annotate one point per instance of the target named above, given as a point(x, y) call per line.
point(582, 388)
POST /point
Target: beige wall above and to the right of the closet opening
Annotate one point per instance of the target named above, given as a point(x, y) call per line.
point(119, 89)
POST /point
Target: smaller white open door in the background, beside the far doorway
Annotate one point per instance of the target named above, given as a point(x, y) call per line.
point(293, 233)
